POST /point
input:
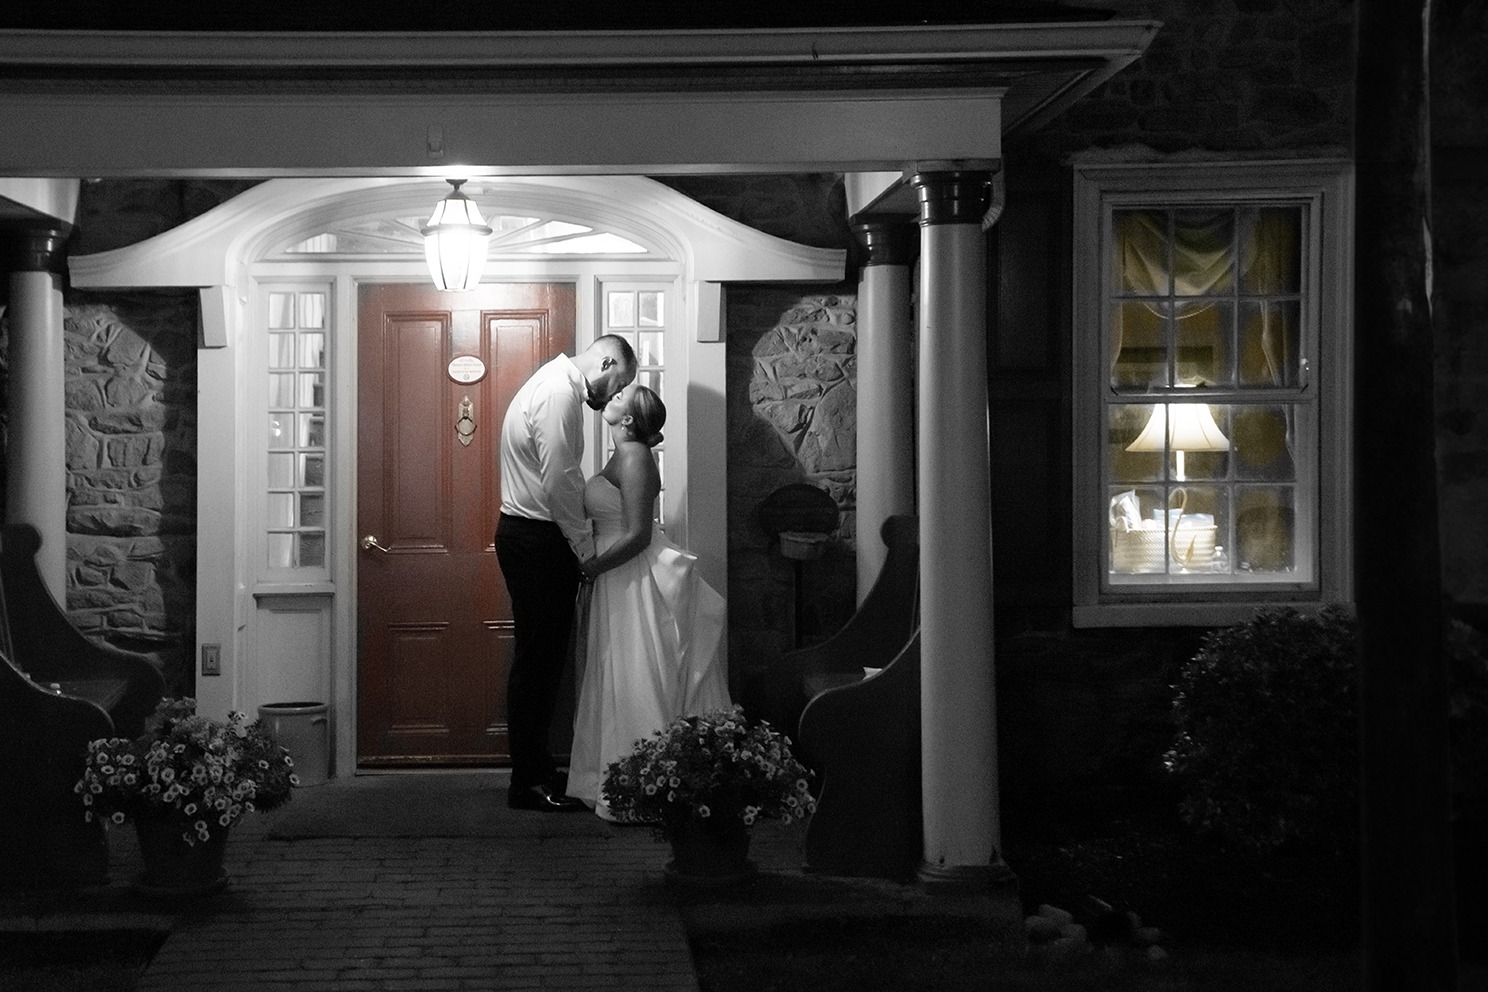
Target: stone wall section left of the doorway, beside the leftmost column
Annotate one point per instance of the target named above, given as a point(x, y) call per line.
point(132, 474)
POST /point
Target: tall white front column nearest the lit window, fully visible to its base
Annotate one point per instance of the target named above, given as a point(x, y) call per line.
point(958, 698)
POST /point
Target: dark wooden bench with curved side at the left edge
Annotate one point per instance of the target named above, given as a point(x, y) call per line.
point(59, 691)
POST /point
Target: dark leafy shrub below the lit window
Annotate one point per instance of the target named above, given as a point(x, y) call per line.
point(1267, 743)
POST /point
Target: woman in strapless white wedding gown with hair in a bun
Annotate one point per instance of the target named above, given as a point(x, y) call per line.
point(655, 631)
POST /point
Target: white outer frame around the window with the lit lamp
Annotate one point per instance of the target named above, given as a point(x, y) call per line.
point(1325, 190)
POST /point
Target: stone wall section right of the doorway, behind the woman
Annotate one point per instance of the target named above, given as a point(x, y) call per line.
point(792, 413)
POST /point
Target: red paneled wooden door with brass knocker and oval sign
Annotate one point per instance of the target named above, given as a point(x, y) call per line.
point(434, 618)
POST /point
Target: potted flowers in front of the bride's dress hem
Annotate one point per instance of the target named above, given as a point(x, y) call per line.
point(703, 783)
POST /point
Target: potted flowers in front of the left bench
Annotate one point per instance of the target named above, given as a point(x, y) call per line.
point(184, 783)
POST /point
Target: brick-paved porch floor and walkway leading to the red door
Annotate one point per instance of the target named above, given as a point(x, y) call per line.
point(525, 902)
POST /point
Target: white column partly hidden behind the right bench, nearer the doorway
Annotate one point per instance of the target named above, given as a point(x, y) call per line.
point(886, 389)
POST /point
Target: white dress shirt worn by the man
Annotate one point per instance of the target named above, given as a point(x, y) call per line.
point(542, 448)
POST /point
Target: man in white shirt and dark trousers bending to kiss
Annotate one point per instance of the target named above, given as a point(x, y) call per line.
point(541, 539)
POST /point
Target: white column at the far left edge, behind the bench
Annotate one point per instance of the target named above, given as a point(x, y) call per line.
point(36, 469)
